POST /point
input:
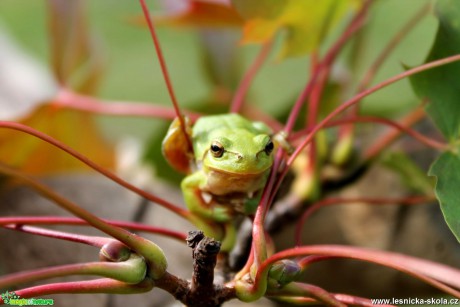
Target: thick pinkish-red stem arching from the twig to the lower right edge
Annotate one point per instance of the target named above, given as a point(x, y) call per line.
point(437, 275)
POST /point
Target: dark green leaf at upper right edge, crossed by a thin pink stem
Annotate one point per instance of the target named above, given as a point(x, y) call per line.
point(441, 85)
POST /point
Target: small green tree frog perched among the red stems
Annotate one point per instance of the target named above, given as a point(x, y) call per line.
point(227, 167)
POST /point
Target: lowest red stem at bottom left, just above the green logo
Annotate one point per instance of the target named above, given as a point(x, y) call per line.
point(102, 285)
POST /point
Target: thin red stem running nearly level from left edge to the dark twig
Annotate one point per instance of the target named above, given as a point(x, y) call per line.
point(58, 220)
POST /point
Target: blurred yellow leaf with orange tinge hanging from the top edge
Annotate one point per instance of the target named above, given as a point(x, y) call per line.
point(306, 22)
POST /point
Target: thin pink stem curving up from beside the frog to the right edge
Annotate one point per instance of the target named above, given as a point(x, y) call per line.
point(367, 92)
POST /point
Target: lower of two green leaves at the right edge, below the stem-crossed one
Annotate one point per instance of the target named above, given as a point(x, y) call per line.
point(446, 169)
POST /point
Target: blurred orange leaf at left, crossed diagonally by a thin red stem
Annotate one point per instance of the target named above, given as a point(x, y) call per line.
point(74, 128)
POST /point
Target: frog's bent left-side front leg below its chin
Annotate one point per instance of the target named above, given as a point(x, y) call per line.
point(192, 190)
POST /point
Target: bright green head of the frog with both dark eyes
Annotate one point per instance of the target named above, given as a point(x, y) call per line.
point(238, 151)
